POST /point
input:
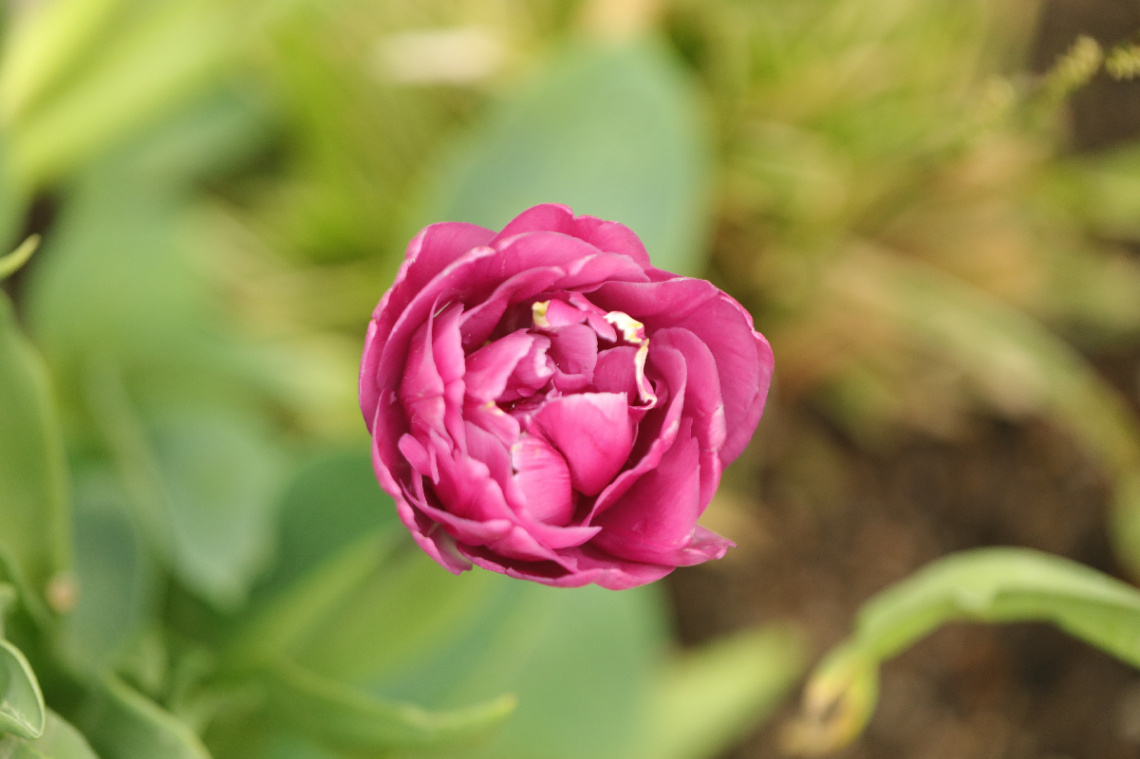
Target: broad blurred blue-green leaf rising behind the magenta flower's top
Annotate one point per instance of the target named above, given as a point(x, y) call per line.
point(612, 132)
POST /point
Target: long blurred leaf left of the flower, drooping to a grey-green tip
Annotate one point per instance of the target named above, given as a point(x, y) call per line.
point(128, 323)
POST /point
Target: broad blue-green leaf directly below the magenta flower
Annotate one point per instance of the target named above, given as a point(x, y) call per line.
point(582, 663)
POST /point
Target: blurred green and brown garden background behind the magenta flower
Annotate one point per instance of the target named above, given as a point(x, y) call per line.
point(931, 208)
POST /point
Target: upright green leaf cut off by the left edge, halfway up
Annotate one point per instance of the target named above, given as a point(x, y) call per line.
point(34, 495)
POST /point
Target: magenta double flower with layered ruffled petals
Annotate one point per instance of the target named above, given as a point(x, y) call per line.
point(545, 404)
